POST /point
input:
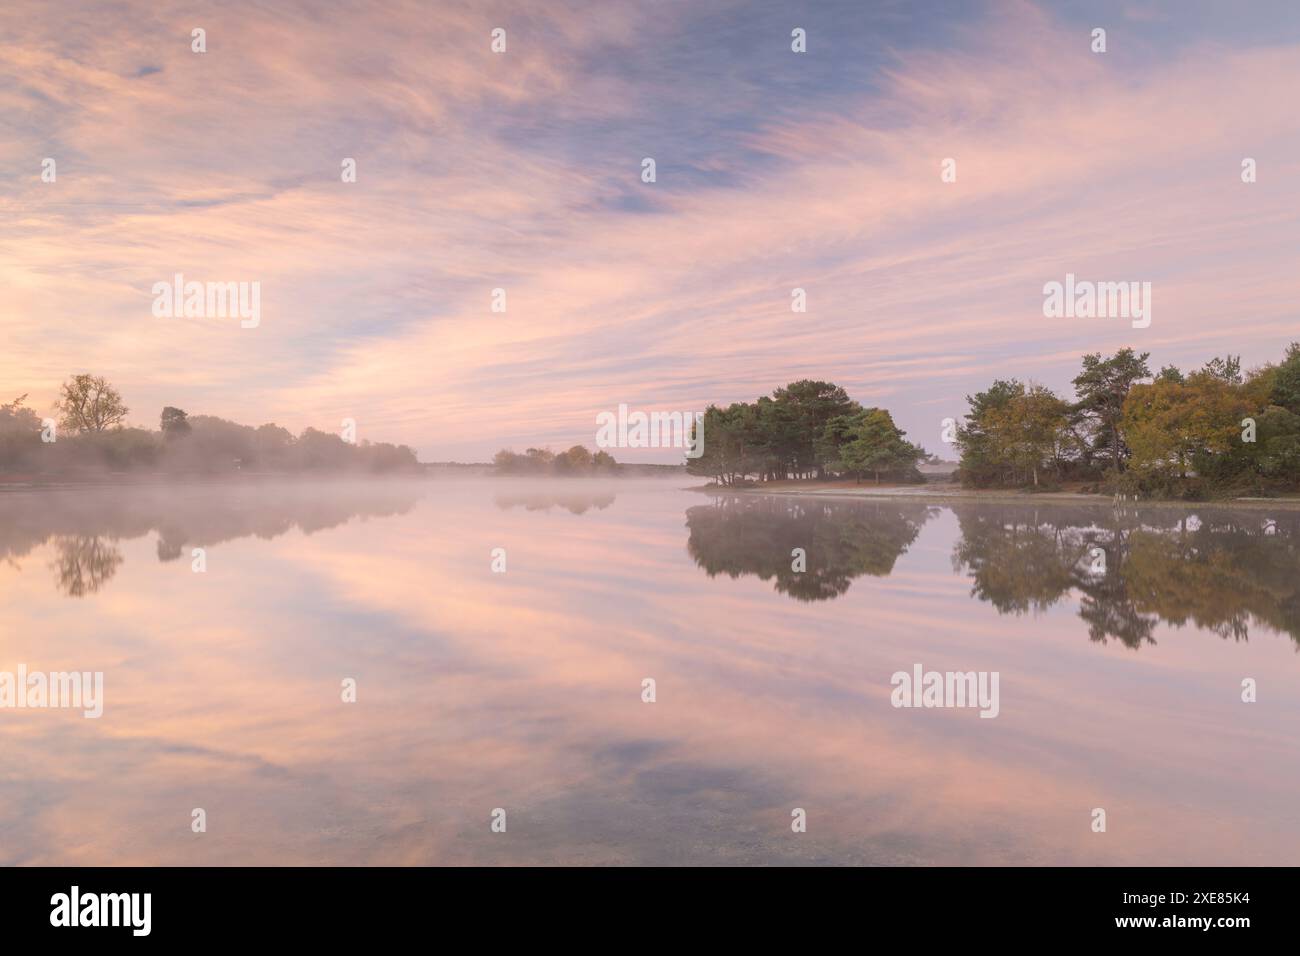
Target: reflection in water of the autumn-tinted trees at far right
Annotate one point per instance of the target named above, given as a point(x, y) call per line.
point(1217, 569)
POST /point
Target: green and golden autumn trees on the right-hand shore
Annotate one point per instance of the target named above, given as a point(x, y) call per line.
point(1208, 432)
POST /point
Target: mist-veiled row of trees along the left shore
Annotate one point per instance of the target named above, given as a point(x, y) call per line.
point(90, 435)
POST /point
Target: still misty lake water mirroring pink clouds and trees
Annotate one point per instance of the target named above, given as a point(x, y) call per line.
point(1120, 689)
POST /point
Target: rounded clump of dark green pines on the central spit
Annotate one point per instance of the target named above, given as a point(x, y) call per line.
point(803, 431)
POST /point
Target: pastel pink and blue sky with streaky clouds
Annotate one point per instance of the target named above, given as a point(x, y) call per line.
point(523, 171)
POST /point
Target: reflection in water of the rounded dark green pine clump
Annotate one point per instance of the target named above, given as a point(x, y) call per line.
point(843, 540)
